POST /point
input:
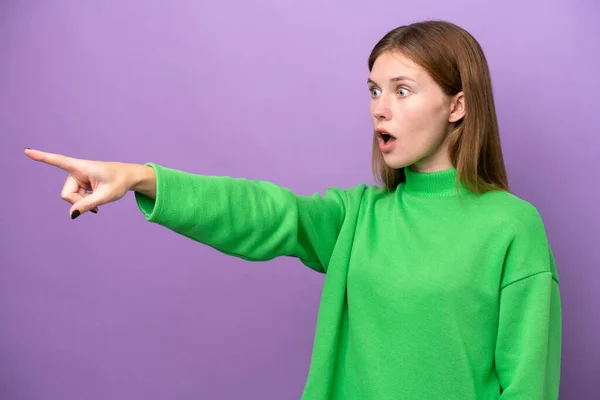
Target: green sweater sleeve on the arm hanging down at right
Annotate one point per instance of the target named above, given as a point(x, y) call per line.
point(528, 350)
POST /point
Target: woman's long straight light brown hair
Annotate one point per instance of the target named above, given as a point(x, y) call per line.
point(456, 62)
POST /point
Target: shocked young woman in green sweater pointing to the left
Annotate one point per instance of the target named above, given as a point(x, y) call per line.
point(440, 284)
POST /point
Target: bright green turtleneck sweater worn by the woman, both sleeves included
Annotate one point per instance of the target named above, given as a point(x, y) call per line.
point(427, 295)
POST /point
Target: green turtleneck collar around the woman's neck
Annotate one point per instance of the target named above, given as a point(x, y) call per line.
point(431, 184)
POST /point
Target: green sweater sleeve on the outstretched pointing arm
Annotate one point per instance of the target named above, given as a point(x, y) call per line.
point(250, 219)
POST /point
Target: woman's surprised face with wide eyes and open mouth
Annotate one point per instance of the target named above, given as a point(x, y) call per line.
point(412, 116)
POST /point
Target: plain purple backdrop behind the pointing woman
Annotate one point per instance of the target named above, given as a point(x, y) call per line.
point(111, 307)
